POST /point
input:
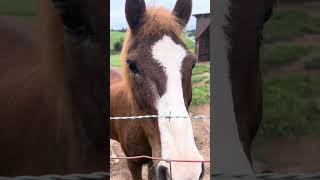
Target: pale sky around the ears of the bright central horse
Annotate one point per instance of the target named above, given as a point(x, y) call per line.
point(117, 14)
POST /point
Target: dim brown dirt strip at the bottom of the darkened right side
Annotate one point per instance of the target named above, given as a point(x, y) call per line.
point(288, 154)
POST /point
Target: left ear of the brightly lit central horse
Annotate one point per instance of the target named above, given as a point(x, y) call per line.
point(135, 10)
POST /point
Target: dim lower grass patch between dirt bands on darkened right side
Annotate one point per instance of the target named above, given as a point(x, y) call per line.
point(291, 106)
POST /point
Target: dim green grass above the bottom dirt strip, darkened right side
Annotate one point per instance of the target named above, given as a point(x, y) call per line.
point(291, 100)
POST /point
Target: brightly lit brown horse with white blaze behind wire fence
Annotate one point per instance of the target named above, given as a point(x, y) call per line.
point(155, 79)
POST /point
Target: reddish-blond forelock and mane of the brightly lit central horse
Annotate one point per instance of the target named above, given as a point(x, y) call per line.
point(156, 22)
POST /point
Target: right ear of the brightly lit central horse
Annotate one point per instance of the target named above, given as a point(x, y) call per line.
point(182, 10)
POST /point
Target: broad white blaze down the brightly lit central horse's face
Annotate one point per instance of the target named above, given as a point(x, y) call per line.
point(177, 140)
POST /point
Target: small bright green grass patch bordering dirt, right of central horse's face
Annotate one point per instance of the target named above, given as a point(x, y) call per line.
point(200, 95)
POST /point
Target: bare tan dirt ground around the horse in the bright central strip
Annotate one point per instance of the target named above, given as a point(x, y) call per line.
point(201, 129)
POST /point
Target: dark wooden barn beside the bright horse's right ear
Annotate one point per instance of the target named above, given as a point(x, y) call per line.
point(202, 37)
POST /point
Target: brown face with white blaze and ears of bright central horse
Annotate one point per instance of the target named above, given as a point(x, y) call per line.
point(159, 69)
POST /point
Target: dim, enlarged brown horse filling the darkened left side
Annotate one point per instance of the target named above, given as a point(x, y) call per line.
point(53, 93)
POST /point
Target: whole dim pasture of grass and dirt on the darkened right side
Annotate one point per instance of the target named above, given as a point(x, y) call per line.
point(290, 65)
